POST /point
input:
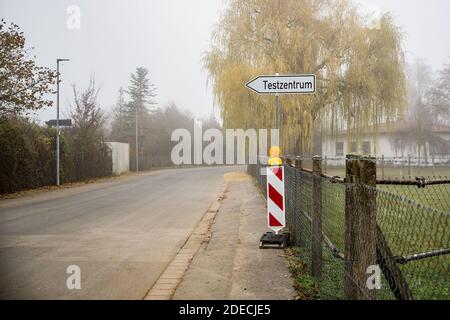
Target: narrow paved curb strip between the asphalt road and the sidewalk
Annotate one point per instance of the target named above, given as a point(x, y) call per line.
point(167, 283)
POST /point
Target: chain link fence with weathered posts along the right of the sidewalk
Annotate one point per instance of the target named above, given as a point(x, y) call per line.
point(343, 229)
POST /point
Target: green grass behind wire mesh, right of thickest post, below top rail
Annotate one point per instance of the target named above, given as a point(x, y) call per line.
point(414, 227)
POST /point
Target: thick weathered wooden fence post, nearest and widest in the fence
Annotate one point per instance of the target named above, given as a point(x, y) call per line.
point(360, 226)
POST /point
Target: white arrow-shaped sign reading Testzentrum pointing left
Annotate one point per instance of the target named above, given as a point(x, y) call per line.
point(293, 84)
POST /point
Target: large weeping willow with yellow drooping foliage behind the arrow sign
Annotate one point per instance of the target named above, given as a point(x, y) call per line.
point(360, 70)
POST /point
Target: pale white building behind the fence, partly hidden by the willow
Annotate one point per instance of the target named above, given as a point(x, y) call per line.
point(382, 144)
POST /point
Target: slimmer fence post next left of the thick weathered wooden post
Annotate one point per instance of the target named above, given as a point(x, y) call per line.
point(316, 241)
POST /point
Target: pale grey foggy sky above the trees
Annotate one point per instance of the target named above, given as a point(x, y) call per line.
point(169, 37)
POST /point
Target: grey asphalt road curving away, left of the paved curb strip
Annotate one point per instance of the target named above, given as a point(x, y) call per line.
point(122, 233)
